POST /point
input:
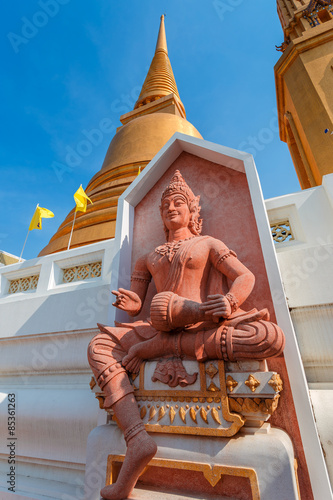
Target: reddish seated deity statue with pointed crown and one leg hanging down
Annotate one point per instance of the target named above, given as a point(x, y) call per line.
point(195, 314)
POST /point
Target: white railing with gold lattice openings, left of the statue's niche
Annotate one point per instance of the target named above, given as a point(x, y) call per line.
point(55, 305)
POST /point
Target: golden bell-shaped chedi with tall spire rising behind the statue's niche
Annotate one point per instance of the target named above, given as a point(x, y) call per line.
point(157, 115)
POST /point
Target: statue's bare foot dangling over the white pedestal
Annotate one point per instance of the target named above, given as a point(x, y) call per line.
point(141, 449)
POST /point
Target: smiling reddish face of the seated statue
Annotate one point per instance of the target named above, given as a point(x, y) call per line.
point(175, 211)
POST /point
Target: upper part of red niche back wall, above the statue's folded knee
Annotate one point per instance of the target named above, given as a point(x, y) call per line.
point(227, 213)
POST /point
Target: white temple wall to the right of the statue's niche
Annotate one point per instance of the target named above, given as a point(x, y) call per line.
point(306, 265)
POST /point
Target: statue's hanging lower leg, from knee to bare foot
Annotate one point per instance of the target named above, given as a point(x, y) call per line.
point(105, 355)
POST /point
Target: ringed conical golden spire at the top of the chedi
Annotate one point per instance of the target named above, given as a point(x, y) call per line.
point(160, 80)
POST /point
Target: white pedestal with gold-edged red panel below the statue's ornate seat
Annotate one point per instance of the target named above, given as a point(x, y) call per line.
point(265, 456)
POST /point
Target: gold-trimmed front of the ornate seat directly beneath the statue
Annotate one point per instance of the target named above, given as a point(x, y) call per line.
point(204, 411)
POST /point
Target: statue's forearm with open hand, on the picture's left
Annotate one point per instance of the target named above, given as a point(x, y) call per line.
point(132, 300)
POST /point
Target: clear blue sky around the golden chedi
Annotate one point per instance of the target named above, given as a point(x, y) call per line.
point(69, 64)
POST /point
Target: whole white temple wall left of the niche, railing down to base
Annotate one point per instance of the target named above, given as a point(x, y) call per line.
point(44, 334)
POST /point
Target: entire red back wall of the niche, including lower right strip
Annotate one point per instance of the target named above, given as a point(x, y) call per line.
point(227, 213)
